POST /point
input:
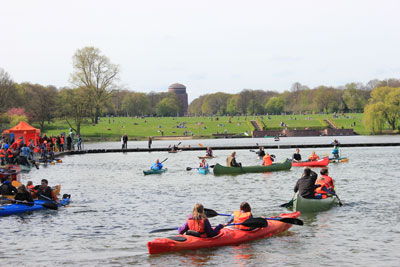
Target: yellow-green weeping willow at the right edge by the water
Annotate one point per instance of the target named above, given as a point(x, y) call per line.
point(383, 106)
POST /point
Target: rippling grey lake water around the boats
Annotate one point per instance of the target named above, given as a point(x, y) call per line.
point(114, 206)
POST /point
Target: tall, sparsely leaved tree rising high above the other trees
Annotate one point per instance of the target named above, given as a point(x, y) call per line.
point(95, 72)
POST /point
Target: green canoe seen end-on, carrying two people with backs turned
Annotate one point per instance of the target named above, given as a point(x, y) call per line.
point(313, 205)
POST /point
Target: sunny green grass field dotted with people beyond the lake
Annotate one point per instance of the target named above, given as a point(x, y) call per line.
point(112, 128)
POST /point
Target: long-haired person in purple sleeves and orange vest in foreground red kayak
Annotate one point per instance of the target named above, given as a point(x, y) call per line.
point(198, 225)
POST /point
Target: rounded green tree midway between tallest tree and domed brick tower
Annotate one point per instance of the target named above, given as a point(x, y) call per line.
point(136, 104)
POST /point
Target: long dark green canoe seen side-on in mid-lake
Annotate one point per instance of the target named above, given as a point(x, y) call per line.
point(219, 169)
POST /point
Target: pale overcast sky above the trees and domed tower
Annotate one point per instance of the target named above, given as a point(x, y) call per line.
point(209, 46)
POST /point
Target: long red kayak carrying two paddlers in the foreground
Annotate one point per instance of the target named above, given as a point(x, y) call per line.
point(227, 236)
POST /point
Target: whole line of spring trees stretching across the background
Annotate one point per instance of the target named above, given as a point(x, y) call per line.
point(95, 91)
